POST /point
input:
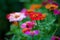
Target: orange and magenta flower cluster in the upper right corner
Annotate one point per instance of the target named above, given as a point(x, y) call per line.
point(52, 6)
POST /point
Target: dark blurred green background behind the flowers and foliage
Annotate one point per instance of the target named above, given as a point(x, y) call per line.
point(8, 6)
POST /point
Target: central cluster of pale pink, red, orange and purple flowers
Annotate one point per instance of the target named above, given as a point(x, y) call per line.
point(27, 26)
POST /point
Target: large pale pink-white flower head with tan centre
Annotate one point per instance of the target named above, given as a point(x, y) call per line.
point(17, 16)
